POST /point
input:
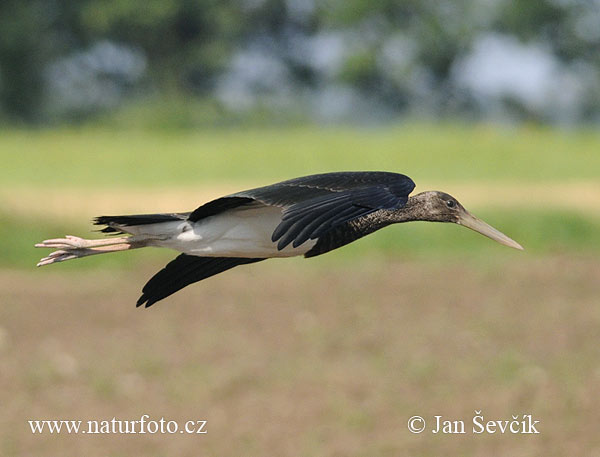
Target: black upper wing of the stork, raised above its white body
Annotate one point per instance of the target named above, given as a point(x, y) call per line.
point(313, 205)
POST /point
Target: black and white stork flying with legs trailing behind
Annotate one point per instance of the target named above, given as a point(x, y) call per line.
point(307, 216)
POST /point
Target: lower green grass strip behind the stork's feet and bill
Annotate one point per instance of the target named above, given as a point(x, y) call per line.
point(541, 232)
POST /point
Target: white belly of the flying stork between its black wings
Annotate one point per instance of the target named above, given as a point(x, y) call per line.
point(242, 232)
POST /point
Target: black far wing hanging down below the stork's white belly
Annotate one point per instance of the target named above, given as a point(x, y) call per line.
point(183, 271)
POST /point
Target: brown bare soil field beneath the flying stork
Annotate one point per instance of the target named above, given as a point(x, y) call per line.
point(288, 358)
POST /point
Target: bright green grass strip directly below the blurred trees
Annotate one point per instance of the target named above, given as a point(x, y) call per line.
point(101, 158)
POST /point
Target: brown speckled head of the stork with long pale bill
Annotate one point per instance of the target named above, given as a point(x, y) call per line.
point(438, 206)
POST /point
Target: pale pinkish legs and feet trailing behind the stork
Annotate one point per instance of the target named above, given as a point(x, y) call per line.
point(73, 247)
